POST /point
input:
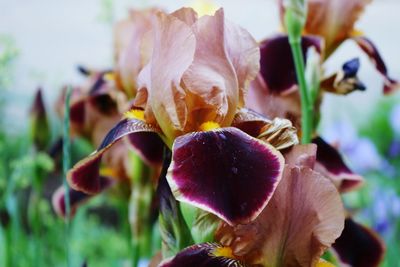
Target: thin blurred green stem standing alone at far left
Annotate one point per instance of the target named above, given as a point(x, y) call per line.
point(66, 166)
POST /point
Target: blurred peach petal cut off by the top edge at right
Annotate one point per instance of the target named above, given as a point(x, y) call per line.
point(333, 19)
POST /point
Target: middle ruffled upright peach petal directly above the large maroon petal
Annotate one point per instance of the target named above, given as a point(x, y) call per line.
point(211, 80)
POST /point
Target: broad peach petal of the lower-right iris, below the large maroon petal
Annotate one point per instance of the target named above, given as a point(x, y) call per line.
point(303, 219)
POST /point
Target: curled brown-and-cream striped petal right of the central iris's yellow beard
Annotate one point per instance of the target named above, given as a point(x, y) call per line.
point(279, 132)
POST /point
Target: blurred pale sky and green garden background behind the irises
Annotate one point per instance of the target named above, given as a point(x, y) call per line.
point(42, 42)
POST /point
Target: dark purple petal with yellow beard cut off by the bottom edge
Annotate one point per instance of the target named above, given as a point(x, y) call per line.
point(203, 255)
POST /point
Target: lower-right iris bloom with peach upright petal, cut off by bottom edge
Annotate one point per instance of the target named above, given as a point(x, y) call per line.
point(303, 218)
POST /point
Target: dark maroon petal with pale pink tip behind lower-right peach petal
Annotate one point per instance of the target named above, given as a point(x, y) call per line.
point(331, 164)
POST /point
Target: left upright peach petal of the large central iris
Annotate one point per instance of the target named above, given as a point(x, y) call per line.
point(174, 48)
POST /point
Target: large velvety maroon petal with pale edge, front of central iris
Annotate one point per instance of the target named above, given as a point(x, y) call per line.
point(226, 172)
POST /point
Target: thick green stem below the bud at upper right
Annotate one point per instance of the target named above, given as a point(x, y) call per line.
point(306, 103)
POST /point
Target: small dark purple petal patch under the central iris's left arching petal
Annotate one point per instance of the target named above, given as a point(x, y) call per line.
point(149, 146)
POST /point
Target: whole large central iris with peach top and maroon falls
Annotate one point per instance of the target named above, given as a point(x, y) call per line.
point(225, 159)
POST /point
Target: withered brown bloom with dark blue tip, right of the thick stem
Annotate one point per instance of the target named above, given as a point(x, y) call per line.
point(344, 81)
